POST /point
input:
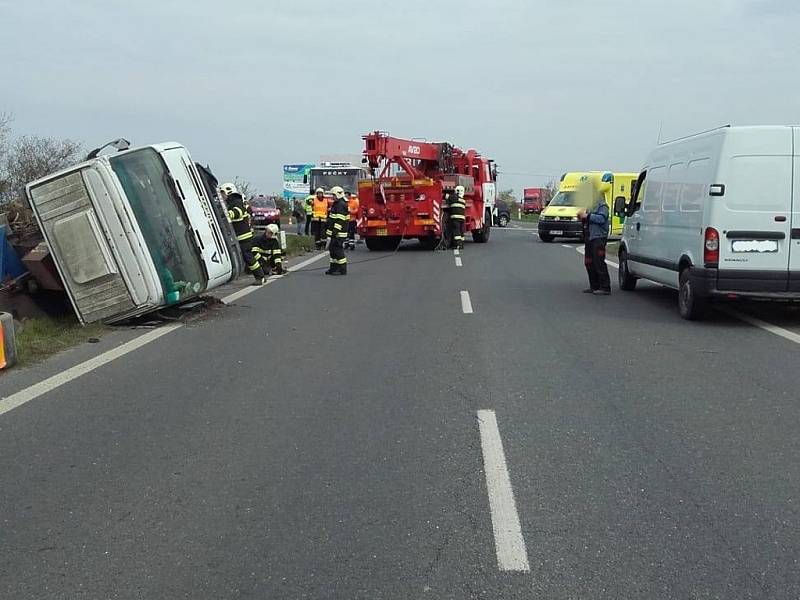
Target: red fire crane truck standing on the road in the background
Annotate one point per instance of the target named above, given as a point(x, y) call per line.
point(410, 181)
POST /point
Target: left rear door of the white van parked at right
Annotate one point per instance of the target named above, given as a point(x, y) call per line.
point(752, 214)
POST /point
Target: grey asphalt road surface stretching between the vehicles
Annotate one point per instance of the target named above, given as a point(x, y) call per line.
point(320, 438)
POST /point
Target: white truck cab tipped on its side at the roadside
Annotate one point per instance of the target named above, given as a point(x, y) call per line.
point(135, 231)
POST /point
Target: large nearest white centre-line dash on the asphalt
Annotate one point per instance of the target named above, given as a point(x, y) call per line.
point(509, 543)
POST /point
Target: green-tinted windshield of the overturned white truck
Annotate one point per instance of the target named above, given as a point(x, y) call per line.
point(162, 221)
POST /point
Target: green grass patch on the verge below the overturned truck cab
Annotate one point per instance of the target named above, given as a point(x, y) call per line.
point(40, 337)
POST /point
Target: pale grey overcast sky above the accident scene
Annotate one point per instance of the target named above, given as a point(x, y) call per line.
point(541, 86)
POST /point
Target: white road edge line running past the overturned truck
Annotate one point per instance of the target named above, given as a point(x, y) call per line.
point(32, 392)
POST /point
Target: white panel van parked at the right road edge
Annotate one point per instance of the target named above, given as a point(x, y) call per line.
point(717, 215)
